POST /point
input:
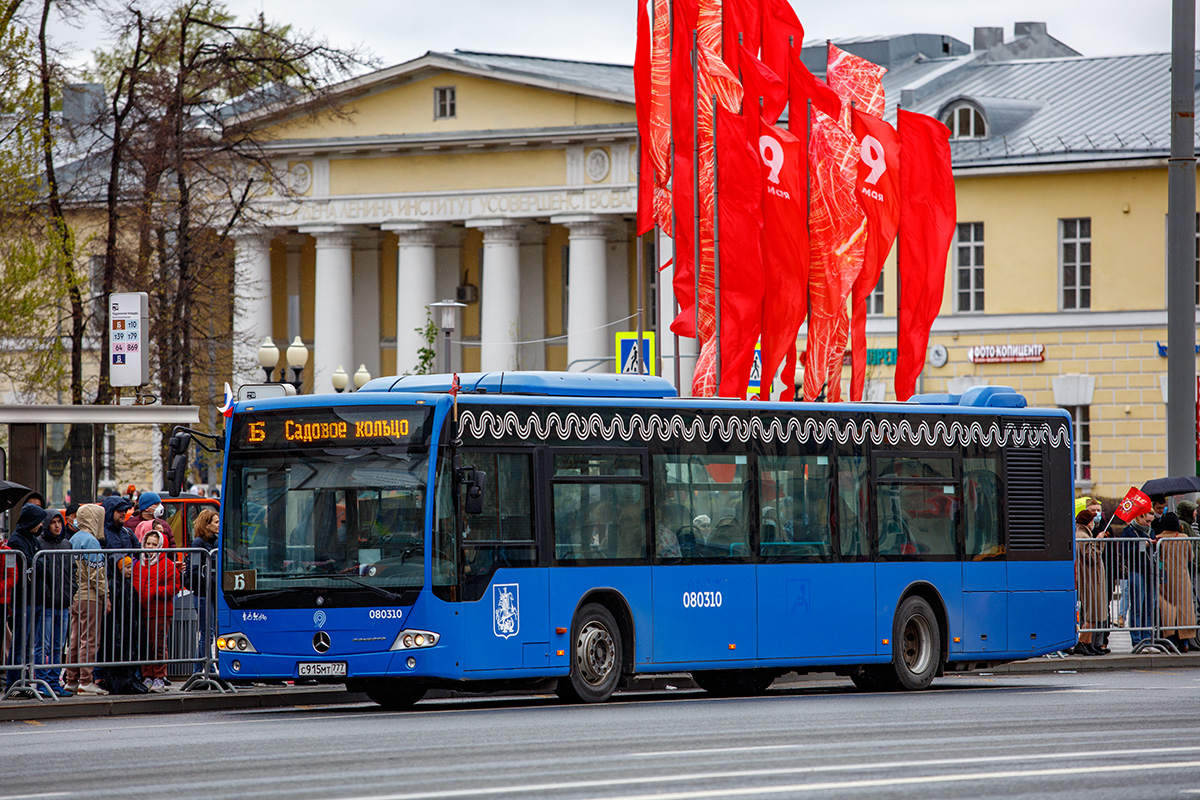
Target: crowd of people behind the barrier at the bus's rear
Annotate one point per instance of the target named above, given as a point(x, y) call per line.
point(1145, 574)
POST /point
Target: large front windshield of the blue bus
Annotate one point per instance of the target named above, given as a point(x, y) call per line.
point(346, 519)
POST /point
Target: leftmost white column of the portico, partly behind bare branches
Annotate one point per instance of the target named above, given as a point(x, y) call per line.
point(253, 308)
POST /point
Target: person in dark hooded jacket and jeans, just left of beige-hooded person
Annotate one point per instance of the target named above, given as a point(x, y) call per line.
point(53, 592)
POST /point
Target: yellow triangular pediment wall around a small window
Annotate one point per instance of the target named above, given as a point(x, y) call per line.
point(482, 105)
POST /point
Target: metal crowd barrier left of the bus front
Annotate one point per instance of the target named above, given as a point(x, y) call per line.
point(112, 619)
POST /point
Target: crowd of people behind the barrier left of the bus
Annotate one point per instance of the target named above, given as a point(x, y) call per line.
point(98, 605)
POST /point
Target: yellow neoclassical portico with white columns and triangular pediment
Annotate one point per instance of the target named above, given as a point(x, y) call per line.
point(502, 182)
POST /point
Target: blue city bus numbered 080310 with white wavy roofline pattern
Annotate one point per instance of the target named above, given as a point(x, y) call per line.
point(577, 531)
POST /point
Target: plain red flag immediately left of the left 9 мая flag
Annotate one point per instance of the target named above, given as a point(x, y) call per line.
point(740, 230)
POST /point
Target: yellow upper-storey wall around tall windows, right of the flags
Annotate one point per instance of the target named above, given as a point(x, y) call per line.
point(1021, 216)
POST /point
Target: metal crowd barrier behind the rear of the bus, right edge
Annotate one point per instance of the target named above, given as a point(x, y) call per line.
point(1149, 588)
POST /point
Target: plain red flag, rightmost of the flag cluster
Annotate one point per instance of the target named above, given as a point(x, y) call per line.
point(927, 227)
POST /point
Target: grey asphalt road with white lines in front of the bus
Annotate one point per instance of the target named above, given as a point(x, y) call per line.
point(1120, 735)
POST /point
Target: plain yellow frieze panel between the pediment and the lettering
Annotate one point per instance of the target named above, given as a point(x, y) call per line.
point(448, 172)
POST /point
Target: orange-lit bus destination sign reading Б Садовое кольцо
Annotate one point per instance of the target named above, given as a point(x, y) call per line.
point(333, 428)
